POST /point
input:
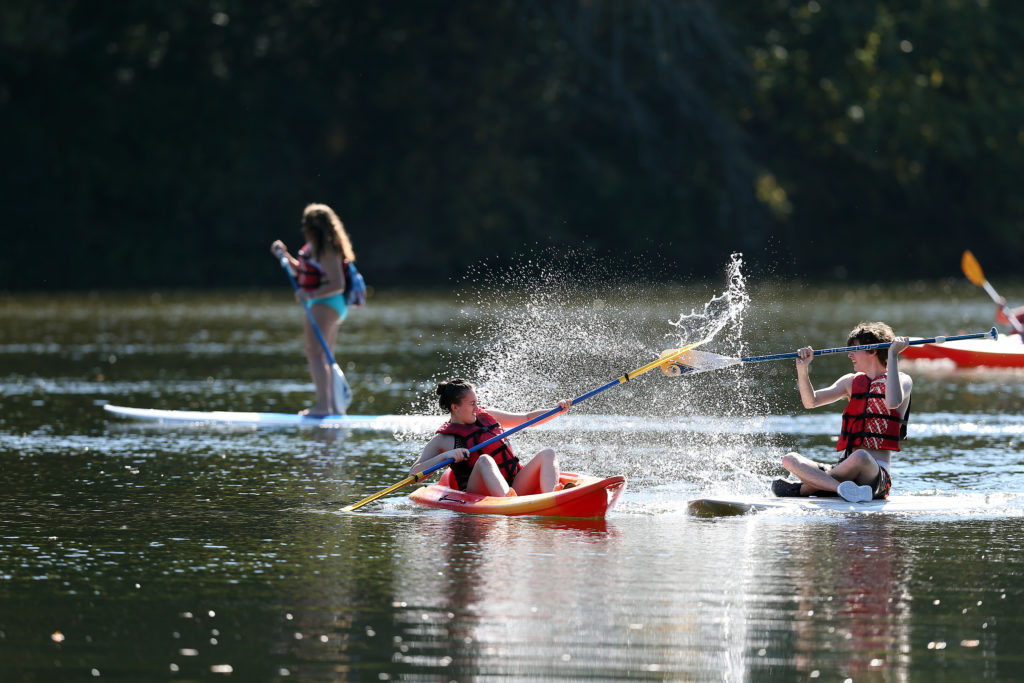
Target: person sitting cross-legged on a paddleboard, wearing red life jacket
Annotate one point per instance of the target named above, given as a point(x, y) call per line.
point(874, 422)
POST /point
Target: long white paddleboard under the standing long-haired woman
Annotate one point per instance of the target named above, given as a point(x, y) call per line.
point(385, 422)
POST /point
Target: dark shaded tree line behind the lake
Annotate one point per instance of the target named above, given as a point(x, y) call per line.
point(168, 143)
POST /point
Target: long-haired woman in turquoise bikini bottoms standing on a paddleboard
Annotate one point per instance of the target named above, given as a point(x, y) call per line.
point(320, 270)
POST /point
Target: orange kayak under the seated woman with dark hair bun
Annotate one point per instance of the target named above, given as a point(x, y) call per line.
point(591, 497)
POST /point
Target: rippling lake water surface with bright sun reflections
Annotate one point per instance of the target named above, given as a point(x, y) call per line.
point(152, 553)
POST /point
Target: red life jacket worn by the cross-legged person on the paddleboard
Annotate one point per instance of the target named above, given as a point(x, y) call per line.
point(867, 421)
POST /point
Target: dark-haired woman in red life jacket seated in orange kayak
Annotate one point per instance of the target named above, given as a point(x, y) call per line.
point(494, 471)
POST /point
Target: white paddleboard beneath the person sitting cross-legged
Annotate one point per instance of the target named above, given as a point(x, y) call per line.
point(935, 504)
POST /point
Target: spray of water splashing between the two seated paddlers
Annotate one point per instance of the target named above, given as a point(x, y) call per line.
point(557, 326)
